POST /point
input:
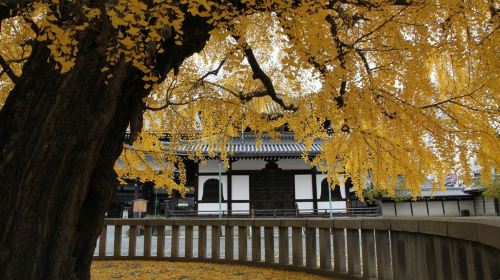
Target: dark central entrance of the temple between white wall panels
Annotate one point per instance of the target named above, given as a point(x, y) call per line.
point(272, 189)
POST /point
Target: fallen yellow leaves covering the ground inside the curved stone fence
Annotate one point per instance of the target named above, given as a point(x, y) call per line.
point(138, 270)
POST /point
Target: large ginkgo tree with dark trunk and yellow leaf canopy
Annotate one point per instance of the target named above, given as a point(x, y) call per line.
point(407, 89)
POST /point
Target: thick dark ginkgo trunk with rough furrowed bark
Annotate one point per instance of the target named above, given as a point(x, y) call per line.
point(60, 136)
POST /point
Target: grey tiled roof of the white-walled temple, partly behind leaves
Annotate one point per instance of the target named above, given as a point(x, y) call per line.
point(246, 146)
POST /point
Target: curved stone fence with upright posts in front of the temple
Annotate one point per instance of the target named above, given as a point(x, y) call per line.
point(452, 248)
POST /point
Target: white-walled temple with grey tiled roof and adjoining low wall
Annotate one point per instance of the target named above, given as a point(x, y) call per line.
point(272, 179)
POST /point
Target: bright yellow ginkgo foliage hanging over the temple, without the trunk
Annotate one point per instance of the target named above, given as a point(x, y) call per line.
point(410, 88)
